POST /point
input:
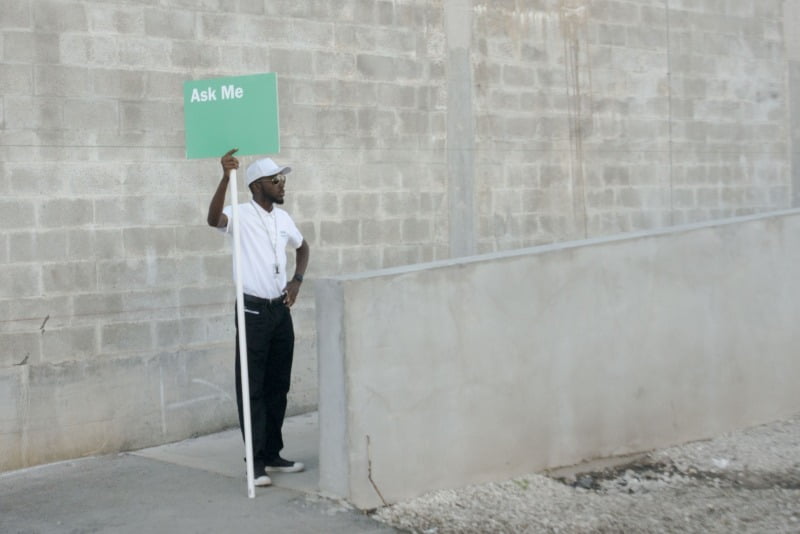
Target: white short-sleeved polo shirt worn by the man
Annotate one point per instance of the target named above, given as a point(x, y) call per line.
point(264, 237)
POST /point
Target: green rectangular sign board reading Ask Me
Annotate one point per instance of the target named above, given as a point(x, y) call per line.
point(224, 113)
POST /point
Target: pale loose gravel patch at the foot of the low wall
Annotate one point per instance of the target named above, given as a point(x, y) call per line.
point(746, 481)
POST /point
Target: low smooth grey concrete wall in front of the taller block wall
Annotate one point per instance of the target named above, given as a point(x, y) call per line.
point(459, 372)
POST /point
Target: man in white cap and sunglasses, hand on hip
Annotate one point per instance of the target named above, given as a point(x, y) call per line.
point(265, 231)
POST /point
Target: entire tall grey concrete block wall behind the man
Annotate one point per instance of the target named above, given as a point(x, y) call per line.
point(418, 131)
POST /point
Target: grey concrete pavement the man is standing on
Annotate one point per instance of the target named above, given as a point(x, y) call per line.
point(197, 485)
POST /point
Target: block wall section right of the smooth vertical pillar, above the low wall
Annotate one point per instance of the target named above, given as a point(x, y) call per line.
point(610, 116)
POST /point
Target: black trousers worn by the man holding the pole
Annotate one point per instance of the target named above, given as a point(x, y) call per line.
point(270, 348)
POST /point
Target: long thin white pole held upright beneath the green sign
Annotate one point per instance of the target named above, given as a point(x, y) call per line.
point(248, 431)
